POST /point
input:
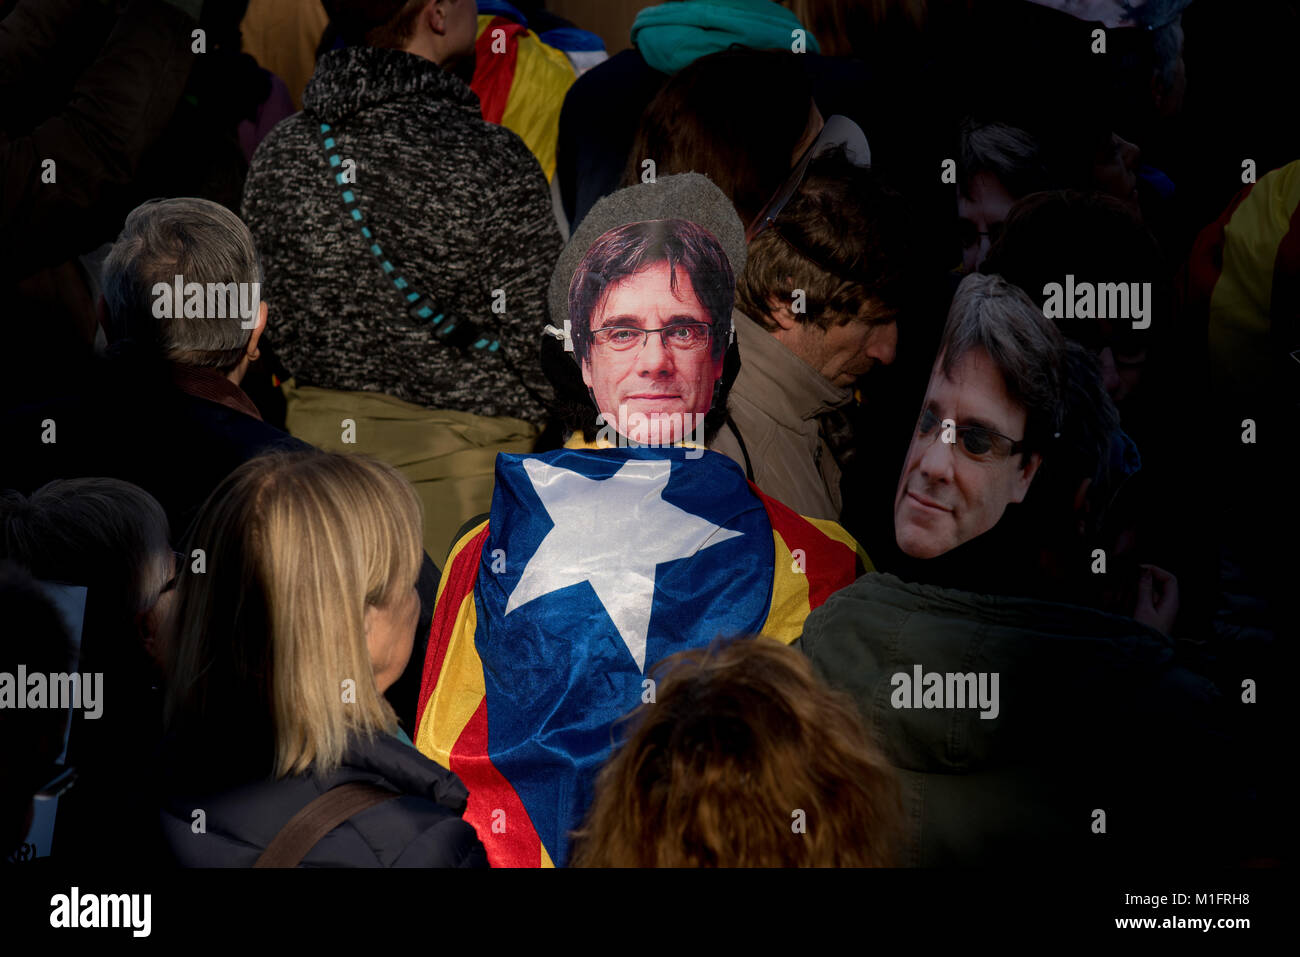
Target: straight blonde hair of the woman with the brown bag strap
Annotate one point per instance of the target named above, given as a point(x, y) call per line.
point(298, 547)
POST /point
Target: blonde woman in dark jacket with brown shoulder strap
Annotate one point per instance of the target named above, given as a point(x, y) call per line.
point(284, 647)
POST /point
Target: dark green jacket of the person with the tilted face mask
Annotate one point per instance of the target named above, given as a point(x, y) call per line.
point(1091, 713)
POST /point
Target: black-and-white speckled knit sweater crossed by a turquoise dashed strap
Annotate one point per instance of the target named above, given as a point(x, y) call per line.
point(458, 207)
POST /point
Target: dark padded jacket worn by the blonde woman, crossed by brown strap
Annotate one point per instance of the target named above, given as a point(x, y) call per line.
point(422, 829)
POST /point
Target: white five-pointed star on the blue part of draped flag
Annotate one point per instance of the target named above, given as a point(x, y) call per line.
point(629, 510)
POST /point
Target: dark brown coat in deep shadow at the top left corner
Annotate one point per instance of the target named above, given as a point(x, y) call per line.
point(84, 99)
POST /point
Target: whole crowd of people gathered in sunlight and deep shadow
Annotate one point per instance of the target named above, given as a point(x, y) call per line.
point(824, 434)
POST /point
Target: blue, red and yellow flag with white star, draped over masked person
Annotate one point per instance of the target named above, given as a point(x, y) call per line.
point(595, 565)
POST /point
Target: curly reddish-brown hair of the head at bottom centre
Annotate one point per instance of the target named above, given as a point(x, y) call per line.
point(746, 759)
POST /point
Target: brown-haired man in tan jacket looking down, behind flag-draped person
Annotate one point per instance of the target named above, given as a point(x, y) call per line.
point(821, 295)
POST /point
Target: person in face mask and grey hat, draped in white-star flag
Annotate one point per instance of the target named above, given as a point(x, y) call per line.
point(627, 545)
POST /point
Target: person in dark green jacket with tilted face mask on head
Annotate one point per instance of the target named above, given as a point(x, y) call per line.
point(1008, 454)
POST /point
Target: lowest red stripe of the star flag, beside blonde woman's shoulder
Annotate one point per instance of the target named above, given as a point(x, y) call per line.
point(514, 842)
